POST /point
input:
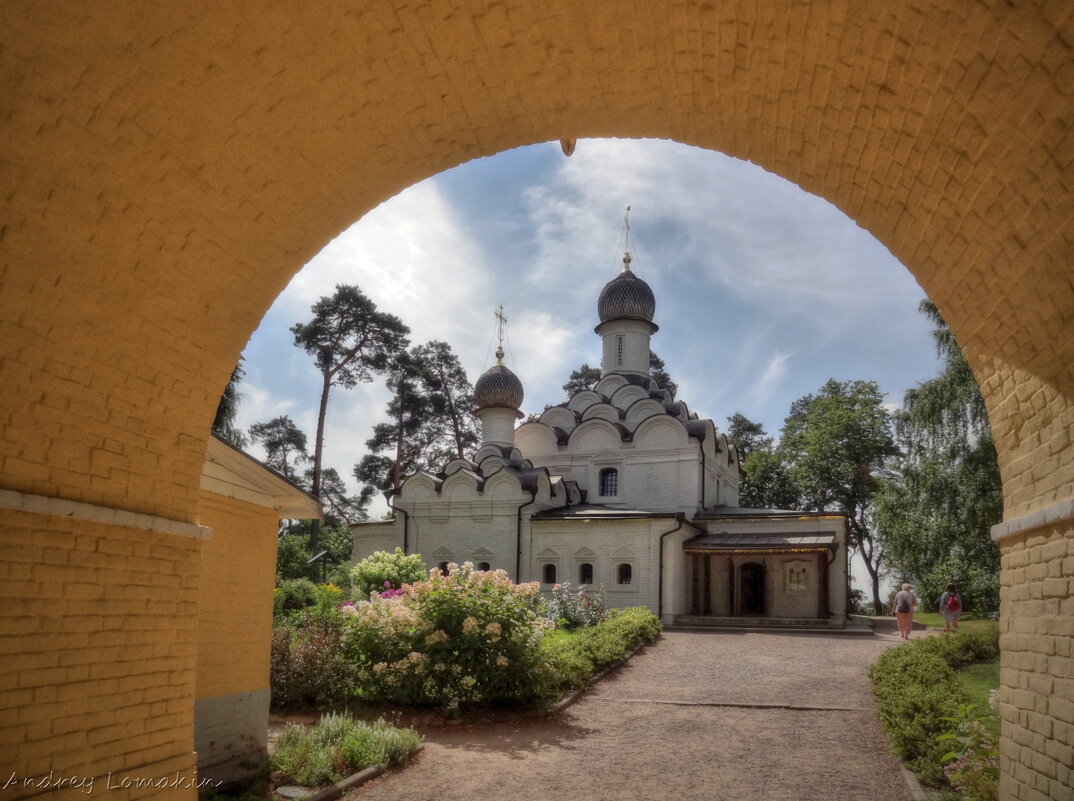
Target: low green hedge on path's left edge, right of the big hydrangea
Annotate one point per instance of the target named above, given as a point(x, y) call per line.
point(576, 657)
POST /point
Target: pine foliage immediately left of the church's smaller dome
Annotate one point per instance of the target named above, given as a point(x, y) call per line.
point(453, 403)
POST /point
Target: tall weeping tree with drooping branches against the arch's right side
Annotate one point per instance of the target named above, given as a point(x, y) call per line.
point(935, 518)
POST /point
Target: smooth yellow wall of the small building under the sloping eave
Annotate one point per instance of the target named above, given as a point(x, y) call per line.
point(239, 573)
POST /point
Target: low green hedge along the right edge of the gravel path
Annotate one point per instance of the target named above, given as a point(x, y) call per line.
point(918, 695)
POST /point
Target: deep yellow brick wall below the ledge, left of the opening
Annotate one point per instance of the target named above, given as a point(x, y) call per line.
point(98, 633)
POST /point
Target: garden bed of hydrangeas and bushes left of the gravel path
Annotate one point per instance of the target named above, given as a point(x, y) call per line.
point(469, 642)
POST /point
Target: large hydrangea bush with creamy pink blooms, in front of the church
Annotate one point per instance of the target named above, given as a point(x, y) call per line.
point(469, 636)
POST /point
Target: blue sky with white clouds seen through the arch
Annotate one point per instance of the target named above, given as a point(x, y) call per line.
point(763, 292)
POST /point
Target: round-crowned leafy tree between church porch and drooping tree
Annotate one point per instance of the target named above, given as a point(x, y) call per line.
point(839, 446)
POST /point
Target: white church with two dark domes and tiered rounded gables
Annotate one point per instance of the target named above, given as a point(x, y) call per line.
point(623, 488)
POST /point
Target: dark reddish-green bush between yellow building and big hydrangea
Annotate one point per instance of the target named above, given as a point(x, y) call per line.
point(307, 664)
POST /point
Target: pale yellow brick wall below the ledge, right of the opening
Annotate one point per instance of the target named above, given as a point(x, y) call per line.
point(1037, 665)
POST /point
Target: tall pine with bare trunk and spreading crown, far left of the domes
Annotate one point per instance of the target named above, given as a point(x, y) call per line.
point(350, 341)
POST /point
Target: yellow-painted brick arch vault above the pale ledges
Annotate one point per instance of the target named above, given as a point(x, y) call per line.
point(168, 168)
